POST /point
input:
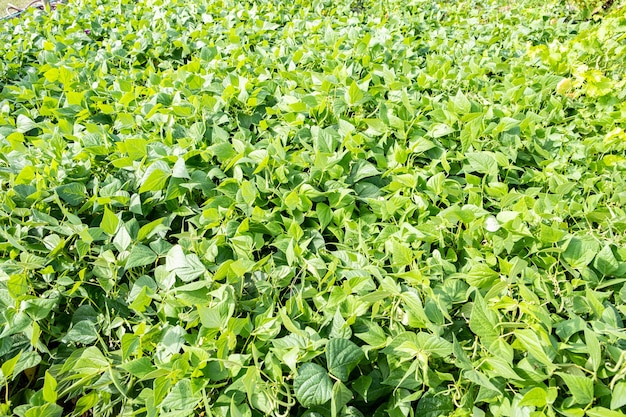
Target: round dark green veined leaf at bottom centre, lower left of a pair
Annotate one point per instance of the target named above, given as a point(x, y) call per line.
point(312, 385)
